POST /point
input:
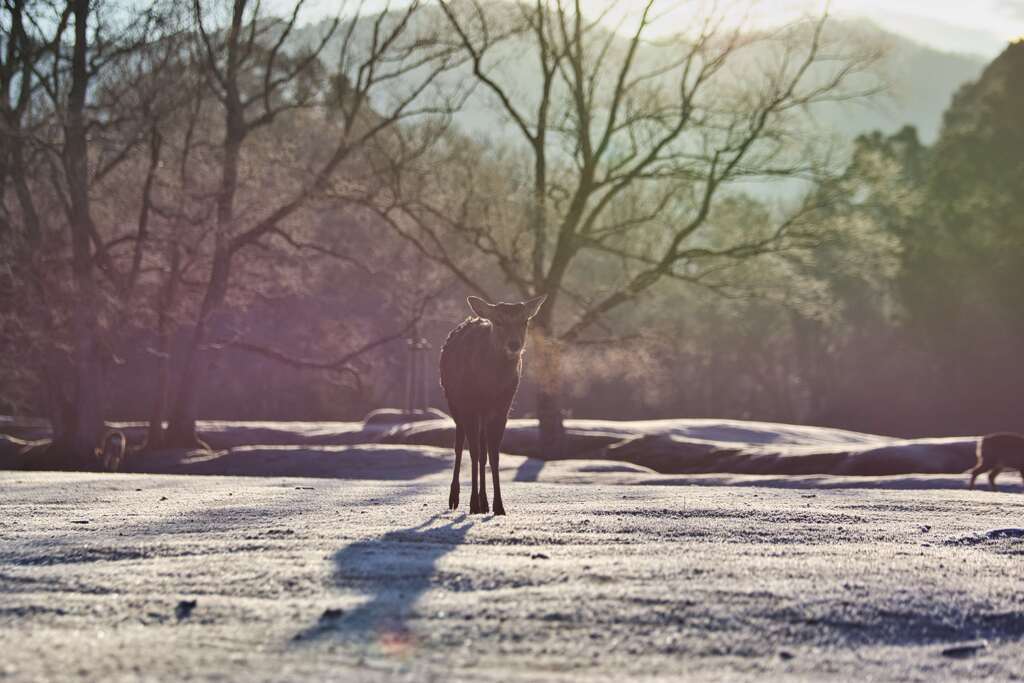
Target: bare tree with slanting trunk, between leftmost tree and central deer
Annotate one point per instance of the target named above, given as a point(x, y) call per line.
point(257, 78)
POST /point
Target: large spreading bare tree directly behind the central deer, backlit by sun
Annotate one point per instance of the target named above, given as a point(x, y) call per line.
point(631, 142)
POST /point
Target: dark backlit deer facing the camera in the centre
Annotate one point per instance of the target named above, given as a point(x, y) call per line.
point(482, 363)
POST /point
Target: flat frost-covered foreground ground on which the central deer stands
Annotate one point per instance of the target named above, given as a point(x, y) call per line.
point(598, 573)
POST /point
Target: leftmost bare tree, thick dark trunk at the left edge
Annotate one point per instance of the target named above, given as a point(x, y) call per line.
point(72, 115)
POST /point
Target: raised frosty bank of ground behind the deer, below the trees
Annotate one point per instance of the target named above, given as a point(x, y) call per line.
point(678, 447)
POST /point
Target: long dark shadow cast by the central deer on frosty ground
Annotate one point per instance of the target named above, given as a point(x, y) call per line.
point(396, 571)
